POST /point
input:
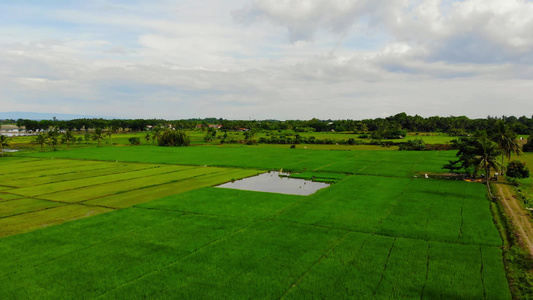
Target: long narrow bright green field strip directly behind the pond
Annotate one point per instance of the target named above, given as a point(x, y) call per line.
point(383, 163)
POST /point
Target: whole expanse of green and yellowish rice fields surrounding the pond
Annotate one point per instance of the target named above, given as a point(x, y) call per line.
point(378, 232)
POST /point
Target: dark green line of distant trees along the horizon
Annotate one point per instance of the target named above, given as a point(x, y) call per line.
point(400, 122)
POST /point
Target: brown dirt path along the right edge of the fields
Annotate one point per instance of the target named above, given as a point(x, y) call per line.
point(518, 215)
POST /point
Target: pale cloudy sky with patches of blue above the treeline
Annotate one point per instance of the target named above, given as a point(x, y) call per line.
point(267, 59)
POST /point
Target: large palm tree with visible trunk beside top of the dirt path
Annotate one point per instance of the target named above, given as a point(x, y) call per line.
point(486, 158)
